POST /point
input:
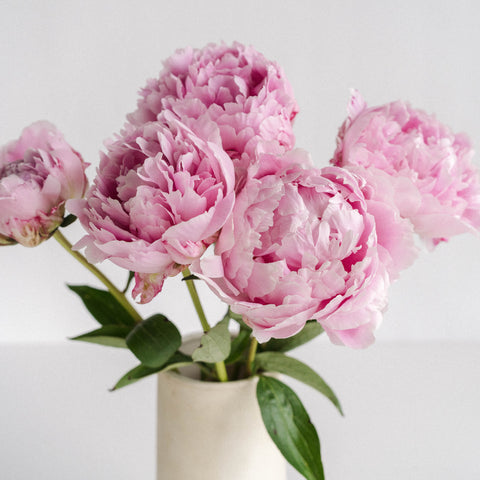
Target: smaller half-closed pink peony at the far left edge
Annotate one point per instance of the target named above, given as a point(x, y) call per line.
point(38, 173)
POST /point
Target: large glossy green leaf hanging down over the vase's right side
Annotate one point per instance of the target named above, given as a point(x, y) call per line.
point(289, 426)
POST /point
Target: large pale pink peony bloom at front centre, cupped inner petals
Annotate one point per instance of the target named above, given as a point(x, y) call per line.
point(301, 245)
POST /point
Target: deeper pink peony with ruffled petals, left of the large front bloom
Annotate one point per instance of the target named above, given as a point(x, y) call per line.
point(160, 196)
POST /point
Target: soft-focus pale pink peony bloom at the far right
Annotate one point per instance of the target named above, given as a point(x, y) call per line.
point(429, 167)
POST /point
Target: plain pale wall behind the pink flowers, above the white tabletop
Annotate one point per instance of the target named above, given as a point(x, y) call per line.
point(80, 66)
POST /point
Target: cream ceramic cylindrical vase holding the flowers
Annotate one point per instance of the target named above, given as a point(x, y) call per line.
point(213, 431)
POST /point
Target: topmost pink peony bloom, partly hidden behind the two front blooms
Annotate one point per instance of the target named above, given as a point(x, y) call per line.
point(247, 96)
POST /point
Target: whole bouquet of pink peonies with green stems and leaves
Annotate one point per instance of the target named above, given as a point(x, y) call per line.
point(204, 180)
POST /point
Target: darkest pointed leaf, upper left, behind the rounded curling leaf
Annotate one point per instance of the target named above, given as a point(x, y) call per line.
point(103, 306)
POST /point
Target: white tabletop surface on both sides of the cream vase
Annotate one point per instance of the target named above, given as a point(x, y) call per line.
point(412, 411)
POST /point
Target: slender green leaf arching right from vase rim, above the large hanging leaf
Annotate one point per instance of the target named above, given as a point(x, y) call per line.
point(279, 362)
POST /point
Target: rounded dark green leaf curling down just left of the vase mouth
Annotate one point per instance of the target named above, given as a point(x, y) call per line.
point(154, 340)
